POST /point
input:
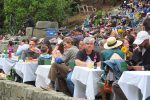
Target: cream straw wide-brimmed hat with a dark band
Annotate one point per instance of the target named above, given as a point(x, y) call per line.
point(112, 43)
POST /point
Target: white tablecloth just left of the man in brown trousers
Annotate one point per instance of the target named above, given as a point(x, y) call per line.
point(42, 76)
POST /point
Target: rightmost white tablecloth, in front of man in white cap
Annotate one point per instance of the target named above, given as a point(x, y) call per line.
point(131, 81)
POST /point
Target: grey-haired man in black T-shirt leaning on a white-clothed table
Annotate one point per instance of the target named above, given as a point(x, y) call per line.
point(87, 52)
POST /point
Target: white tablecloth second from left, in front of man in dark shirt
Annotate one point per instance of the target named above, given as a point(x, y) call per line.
point(26, 70)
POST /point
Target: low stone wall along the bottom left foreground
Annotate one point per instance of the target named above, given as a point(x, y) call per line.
point(10, 90)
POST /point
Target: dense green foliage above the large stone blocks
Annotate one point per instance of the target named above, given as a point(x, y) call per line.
point(16, 11)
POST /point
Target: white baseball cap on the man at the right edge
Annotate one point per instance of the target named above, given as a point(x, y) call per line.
point(141, 36)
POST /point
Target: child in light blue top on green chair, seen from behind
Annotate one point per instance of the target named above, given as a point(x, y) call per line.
point(44, 58)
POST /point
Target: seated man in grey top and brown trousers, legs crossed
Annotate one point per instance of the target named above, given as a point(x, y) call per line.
point(60, 68)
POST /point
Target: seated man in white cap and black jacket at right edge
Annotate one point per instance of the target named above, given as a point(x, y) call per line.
point(139, 59)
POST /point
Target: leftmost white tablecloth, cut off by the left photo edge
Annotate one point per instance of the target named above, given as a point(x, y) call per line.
point(6, 64)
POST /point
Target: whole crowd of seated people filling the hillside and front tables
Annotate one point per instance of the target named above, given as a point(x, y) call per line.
point(123, 36)
